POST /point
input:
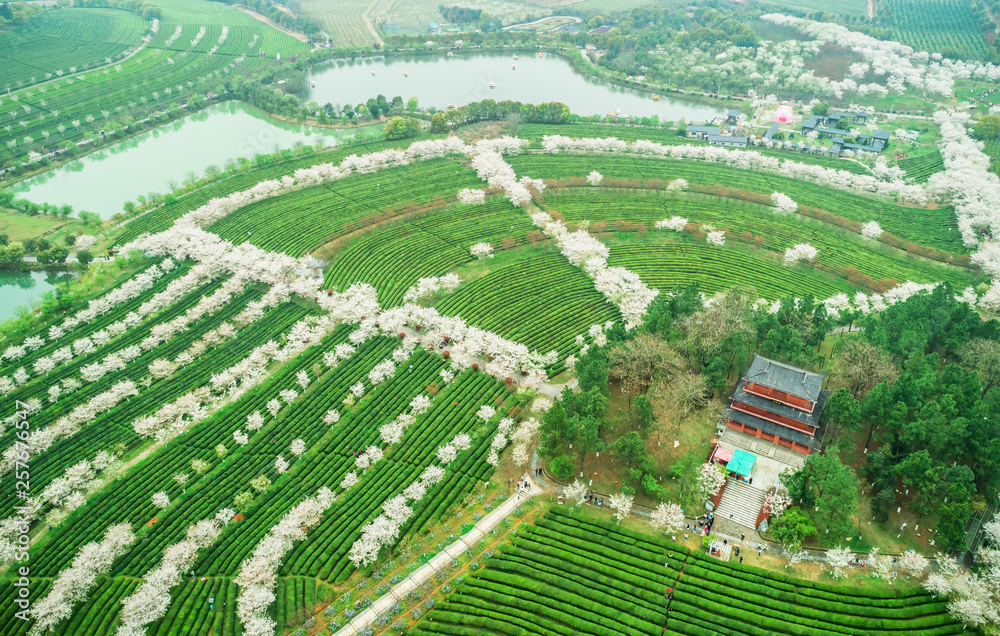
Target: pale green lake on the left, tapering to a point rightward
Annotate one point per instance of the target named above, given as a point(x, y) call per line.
point(101, 182)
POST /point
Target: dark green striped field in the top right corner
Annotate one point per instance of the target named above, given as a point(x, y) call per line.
point(940, 26)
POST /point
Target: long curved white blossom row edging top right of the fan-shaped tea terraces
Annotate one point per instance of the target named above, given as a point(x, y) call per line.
point(744, 160)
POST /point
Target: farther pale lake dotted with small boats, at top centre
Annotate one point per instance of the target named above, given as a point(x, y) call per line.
point(437, 80)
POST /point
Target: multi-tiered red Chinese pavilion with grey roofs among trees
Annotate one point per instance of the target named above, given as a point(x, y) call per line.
point(779, 403)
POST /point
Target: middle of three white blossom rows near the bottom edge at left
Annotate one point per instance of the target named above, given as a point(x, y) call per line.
point(151, 599)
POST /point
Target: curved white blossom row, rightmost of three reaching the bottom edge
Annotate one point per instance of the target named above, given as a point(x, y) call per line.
point(258, 576)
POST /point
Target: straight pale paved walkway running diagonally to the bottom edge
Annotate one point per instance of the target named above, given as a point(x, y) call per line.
point(441, 560)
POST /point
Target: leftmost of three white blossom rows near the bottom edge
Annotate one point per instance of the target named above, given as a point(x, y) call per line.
point(75, 582)
